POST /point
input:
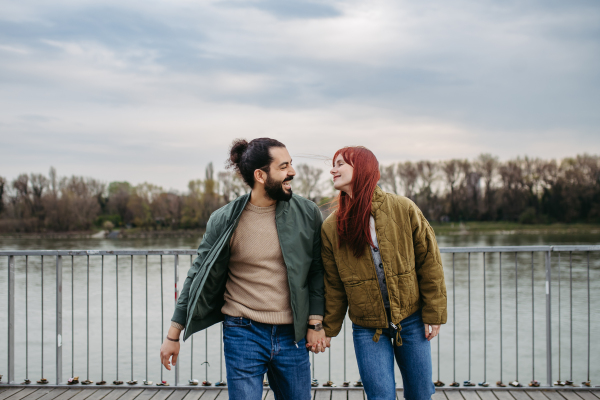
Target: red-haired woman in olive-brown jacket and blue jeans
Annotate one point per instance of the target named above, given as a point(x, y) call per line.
point(382, 262)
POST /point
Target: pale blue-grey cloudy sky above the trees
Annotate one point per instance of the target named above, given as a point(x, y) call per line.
point(155, 90)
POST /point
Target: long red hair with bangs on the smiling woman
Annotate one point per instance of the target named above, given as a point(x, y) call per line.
point(353, 213)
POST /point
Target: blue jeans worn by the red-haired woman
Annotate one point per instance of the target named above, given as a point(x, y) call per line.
point(376, 360)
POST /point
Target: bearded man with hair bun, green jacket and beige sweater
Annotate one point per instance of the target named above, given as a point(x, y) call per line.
point(259, 270)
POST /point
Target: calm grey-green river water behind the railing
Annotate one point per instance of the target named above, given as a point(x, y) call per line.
point(485, 354)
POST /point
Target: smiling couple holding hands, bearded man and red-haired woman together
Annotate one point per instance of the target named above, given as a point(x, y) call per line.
point(281, 279)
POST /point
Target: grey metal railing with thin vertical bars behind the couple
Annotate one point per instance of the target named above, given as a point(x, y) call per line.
point(484, 281)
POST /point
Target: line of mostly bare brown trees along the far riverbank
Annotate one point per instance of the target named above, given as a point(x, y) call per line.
point(527, 190)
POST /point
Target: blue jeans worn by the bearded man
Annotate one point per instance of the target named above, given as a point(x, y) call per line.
point(252, 348)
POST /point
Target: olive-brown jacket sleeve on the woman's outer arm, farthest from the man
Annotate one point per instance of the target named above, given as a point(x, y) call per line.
point(430, 273)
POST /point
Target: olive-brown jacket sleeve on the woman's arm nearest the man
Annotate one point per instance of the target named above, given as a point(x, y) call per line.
point(336, 301)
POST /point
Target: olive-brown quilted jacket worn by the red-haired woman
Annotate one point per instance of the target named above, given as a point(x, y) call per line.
point(411, 261)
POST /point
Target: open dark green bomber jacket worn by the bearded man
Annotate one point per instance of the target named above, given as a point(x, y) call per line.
point(299, 230)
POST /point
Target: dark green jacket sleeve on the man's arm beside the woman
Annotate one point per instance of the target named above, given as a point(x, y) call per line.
point(316, 297)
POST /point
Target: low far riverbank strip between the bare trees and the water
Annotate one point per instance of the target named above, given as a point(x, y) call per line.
point(441, 229)
